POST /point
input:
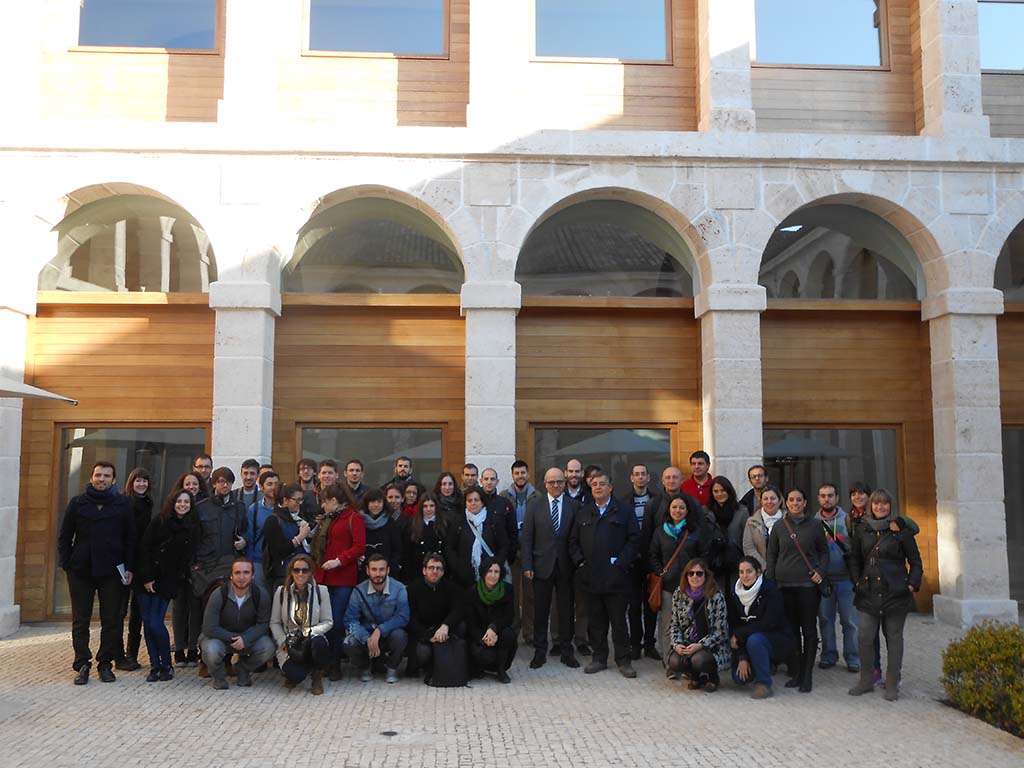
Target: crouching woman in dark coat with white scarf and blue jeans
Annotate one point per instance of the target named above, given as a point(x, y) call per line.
point(761, 634)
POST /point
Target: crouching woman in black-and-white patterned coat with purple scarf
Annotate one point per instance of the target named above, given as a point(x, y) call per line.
point(700, 628)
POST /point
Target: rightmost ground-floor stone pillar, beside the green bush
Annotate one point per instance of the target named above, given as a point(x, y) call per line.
point(974, 576)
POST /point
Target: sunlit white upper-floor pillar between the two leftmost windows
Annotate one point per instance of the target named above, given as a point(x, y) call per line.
point(253, 35)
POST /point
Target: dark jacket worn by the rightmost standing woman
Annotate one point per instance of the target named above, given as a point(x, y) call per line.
point(883, 577)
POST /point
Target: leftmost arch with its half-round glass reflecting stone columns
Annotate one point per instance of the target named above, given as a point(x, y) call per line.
point(89, 211)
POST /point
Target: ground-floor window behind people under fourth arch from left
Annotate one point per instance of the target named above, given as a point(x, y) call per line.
point(807, 458)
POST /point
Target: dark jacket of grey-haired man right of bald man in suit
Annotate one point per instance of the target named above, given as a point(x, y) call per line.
point(595, 540)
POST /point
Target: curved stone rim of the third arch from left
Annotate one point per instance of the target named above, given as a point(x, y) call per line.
point(676, 225)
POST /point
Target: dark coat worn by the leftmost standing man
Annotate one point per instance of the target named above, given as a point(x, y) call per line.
point(97, 535)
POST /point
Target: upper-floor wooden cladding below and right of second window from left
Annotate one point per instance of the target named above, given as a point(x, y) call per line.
point(382, 90)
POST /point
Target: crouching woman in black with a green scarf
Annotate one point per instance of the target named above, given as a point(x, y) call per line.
point(490, 614)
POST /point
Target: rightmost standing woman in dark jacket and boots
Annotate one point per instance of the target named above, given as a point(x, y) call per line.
point(886, 570)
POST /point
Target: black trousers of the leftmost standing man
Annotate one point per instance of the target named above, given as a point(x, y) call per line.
point(83, 589)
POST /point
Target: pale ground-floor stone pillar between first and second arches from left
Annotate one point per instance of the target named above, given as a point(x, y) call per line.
point(243, 371)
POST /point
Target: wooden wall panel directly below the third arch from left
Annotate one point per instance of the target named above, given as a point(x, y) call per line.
point(630, 368)
